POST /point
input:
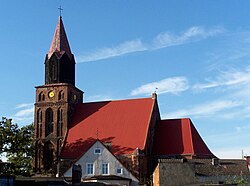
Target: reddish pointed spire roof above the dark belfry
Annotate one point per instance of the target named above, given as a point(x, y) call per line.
point(60, 43)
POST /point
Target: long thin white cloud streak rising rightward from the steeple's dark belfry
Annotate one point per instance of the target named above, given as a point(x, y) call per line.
point(160, 41)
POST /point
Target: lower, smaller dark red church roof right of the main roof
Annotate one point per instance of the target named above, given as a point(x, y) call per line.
point(179, 137)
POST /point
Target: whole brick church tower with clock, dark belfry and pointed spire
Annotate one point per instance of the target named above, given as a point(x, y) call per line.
point(55, 102)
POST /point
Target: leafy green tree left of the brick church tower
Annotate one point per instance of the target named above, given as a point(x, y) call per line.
point(17, 144)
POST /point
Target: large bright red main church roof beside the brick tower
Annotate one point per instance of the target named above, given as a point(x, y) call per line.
point(123, 123)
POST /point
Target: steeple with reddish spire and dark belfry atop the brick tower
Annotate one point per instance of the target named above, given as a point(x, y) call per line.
point(60, 62)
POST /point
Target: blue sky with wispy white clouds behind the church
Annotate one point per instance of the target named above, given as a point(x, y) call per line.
point(197, 53)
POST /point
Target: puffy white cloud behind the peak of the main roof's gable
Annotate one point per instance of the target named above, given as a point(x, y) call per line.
point(172, 85)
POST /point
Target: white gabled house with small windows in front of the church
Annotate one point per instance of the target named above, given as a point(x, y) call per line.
point(100, 165)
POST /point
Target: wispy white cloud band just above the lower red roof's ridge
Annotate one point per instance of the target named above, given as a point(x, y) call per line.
point(203, 110)
